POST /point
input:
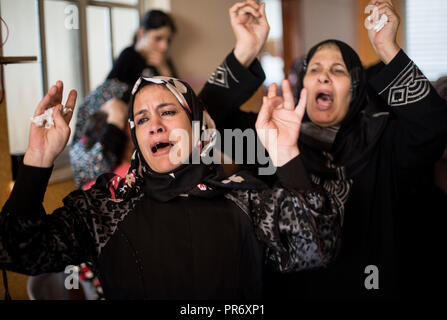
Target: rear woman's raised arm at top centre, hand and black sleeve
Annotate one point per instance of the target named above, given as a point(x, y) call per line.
point(240, 74)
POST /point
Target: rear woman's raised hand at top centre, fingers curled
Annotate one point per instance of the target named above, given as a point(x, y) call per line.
point(250, 28)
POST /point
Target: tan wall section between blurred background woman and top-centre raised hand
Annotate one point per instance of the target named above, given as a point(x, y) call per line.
point(204, 37)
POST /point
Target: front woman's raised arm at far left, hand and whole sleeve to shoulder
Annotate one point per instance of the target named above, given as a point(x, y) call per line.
point(34, 242)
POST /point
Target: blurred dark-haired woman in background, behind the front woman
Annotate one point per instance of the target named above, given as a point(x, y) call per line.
point(104, 151)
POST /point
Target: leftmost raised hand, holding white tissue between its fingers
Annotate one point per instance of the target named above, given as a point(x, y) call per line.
point(46, 144)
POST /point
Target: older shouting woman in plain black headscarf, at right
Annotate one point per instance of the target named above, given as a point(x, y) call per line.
point(386, 144)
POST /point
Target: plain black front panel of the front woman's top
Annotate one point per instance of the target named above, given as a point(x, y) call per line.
point(188, 248)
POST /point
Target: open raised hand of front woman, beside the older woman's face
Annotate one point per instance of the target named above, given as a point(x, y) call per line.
point(278, 123)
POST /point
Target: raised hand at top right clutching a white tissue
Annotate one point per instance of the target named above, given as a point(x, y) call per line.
point(384, 42)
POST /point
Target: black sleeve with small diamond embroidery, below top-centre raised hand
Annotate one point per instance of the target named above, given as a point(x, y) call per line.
point(227, 89)
